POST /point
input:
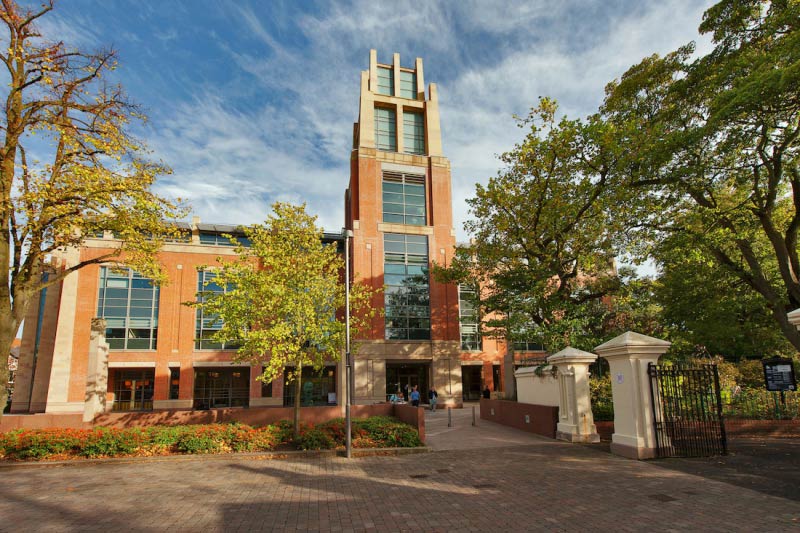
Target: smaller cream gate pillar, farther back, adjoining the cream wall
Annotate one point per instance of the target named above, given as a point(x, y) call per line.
point(575, 420)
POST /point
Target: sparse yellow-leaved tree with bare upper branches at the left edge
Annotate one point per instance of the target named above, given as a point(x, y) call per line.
point(88, 174)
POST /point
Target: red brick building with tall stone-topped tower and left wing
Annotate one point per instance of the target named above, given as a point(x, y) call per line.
point(399, 208)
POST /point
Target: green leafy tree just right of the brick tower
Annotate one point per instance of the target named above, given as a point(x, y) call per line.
point(544, 232)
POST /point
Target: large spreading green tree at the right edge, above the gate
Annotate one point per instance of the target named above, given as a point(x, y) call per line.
point(713, 147)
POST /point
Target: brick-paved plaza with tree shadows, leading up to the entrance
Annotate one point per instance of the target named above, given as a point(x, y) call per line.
point(486, 478)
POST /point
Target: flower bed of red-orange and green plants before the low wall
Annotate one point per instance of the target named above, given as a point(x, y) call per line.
point(375, 432)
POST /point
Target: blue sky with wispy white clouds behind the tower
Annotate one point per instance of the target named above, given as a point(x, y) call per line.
point(253, 102)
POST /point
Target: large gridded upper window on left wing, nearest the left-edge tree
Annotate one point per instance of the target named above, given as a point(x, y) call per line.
point(129, 303)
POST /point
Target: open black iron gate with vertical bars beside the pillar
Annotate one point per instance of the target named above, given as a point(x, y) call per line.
point(687, 411)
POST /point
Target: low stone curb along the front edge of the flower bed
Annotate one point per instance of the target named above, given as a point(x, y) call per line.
point(241, 456)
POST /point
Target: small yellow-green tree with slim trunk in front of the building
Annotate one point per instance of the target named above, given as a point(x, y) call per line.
point(284, 294)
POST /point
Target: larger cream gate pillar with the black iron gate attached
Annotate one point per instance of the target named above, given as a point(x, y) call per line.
point(628, 356)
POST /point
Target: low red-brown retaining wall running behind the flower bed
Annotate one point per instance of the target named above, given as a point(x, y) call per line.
point(254, 416)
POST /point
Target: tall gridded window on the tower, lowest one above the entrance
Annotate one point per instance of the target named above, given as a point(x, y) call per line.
point(407, 294)
